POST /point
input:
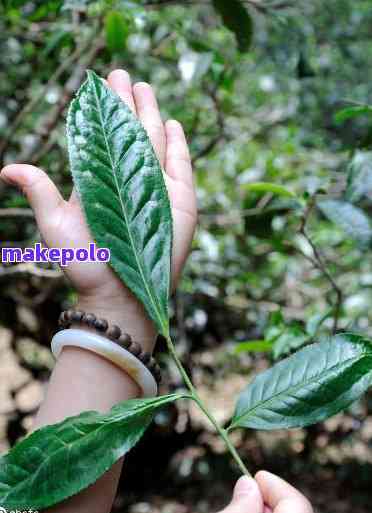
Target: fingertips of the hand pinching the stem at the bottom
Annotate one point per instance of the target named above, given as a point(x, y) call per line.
point(266, 493)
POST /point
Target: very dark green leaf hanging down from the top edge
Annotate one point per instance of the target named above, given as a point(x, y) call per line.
point(237, 19)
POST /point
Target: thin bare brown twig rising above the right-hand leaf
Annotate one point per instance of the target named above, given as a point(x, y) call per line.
point(319, 262)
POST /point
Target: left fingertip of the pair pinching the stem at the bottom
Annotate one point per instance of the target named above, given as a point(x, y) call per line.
point(246, 497)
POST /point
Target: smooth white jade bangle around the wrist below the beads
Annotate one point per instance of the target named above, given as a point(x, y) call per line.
point(109, 350)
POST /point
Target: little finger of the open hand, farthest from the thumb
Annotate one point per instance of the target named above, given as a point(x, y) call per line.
point(178, 161)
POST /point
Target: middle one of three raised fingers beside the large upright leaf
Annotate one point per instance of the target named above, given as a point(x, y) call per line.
point(149, 115)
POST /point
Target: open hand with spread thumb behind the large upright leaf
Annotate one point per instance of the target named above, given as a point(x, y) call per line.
point(62, 223)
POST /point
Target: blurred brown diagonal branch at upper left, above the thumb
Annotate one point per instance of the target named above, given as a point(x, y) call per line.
point(41, 142)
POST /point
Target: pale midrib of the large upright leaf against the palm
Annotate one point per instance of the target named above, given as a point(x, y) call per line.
point(153, 301)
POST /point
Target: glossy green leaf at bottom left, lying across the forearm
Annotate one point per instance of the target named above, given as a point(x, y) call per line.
point(60, 460)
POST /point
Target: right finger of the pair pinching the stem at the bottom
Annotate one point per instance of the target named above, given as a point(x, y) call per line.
point(280, 496)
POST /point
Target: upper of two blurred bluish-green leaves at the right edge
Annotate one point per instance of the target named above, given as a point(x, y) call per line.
point(359, 180)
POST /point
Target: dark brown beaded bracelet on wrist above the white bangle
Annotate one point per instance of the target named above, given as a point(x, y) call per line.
point(114, 333)
